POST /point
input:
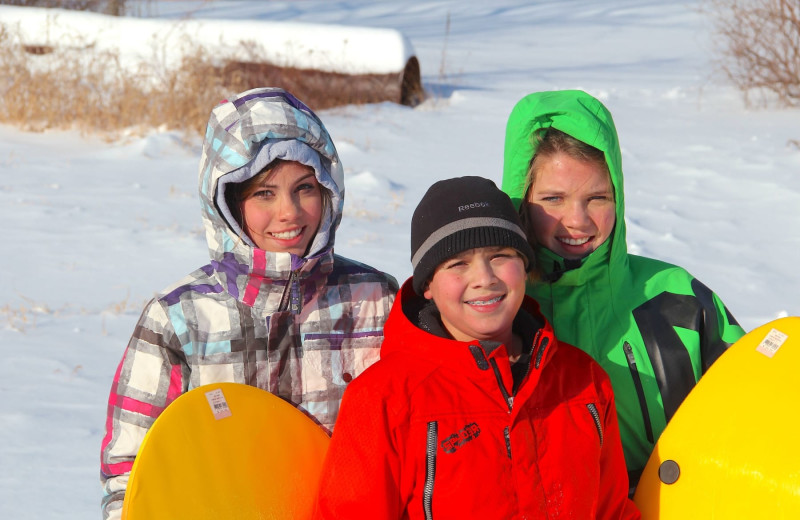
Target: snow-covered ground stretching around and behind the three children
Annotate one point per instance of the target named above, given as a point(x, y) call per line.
point(93, 229)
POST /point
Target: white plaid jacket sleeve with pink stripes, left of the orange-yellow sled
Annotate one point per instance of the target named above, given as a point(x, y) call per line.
point(151, 375)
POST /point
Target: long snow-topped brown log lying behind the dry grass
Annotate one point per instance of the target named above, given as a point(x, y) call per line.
point(377, 64)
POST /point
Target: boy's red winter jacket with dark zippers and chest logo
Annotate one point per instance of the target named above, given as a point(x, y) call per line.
point(432, 431)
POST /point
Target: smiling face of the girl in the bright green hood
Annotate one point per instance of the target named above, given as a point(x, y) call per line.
point(571, 206)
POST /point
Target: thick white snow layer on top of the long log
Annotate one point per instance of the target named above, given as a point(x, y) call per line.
point(329, 48)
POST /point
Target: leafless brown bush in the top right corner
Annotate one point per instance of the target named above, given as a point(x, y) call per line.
point(759, 46)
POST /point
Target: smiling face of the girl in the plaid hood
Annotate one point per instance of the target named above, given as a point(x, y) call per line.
point(282, 214)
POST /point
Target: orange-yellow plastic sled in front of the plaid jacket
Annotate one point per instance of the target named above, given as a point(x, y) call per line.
point(227, 451)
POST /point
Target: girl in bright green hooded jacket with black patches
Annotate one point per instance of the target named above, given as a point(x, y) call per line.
point(653, 326)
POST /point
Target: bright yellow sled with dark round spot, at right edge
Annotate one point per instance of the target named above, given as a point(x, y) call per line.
point(732, 449)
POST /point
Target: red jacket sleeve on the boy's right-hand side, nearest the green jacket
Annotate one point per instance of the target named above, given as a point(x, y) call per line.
point(613, 501)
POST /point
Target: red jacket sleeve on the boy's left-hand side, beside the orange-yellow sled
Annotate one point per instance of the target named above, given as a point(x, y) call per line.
point(361, 474)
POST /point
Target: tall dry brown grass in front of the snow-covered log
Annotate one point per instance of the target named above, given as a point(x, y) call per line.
point(92, 92)
